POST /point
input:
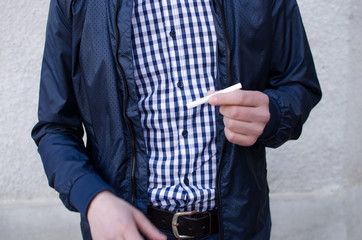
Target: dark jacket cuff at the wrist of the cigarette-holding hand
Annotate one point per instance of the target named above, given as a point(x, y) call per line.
point(272, 126)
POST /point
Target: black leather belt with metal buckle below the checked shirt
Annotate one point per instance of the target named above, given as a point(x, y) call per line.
point(184, 225)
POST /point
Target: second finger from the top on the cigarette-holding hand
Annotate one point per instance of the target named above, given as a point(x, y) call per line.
point(246, 114)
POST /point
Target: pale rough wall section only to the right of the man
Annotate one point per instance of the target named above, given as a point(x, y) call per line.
point(316, 182)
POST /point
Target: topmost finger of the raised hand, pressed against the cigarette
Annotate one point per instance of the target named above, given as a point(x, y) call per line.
point(240, 97)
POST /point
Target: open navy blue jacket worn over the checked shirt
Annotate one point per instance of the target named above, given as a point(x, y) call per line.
point(87, 83)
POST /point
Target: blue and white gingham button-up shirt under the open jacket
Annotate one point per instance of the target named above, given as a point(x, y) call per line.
point(174, 45)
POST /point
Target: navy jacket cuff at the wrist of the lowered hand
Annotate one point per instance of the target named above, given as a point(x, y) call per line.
point(85, 189)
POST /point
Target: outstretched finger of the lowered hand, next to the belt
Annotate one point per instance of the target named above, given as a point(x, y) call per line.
point(146, 227)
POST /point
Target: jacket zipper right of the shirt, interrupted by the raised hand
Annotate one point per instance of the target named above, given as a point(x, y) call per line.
point(228, 76)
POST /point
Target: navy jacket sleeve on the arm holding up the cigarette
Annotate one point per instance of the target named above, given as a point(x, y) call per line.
point(293, 85)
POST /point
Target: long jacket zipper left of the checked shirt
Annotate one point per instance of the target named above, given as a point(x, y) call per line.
point(125, 102)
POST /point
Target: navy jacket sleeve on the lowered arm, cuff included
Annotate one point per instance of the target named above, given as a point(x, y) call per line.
point(59, 131)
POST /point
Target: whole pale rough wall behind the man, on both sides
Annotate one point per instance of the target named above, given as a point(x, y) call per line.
point(315, 182)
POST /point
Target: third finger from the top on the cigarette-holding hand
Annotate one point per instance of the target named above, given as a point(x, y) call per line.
point(245, 128)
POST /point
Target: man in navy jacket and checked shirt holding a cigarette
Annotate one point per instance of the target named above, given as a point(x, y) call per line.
point(125, 71)
